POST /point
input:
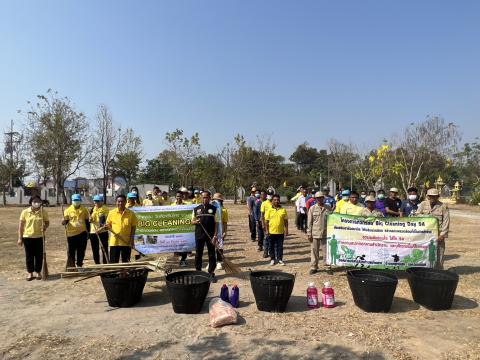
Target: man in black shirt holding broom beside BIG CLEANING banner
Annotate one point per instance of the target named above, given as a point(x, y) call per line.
point(206, 229)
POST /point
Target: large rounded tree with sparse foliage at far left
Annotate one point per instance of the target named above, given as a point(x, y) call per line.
point(58, 140)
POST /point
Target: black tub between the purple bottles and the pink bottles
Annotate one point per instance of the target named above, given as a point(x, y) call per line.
point(272, 289)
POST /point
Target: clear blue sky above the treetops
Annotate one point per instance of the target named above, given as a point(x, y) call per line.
point(299, 70)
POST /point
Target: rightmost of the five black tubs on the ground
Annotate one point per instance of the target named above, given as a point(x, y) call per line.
point(432, 288)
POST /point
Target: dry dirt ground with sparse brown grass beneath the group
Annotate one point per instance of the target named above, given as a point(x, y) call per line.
point(59, 319)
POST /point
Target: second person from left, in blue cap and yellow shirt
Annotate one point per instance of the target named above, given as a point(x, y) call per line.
point(76, 219)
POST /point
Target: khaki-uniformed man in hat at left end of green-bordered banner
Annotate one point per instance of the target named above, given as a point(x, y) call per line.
point(317, 230)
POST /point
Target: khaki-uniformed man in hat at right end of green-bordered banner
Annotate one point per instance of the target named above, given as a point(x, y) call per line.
point(434, 207)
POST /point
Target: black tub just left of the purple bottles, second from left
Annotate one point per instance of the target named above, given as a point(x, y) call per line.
point(188, 290)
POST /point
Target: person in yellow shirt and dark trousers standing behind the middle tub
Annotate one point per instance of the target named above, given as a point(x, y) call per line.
point(276, 221)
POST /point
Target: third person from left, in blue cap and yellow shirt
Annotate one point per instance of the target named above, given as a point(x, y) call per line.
point(98, 218)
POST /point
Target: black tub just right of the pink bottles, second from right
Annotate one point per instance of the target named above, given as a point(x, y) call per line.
point(372, 290)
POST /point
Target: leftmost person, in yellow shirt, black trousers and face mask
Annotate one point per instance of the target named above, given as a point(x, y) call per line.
point(33, 223)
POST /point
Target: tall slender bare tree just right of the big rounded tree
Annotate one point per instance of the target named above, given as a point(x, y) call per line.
point(108, 141)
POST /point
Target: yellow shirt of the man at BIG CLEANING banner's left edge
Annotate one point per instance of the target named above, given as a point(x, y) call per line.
point(121, 224)
